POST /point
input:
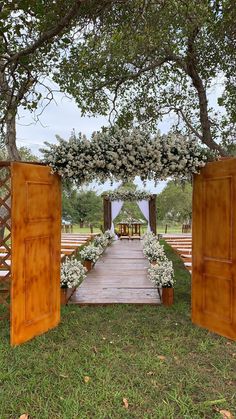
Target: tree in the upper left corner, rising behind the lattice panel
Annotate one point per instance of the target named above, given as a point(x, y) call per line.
point(34, 36)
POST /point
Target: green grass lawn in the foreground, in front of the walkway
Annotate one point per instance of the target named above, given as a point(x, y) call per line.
point(152, 356)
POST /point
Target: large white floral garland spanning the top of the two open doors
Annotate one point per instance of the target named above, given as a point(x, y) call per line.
point(121, 154)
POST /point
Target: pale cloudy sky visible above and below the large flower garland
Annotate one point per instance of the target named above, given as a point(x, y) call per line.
point(60, 118)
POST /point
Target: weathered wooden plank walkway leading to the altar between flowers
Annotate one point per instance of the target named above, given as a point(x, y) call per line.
point(120, 276)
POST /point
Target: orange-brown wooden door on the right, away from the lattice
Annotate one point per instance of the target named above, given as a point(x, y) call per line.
point(214, 248)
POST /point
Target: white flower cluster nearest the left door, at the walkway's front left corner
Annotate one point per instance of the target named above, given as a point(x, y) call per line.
point(72, 273)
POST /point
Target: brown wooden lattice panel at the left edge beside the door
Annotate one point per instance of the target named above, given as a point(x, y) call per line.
point(5, 239)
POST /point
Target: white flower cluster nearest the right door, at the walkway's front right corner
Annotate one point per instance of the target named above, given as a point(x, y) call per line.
point(162, 275)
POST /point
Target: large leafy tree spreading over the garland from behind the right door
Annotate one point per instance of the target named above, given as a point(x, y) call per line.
point(146, 59)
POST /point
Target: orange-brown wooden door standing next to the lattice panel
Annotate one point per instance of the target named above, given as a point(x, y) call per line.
point(36, 224)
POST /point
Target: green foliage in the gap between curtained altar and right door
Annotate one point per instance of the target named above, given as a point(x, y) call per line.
point(174, 203)
